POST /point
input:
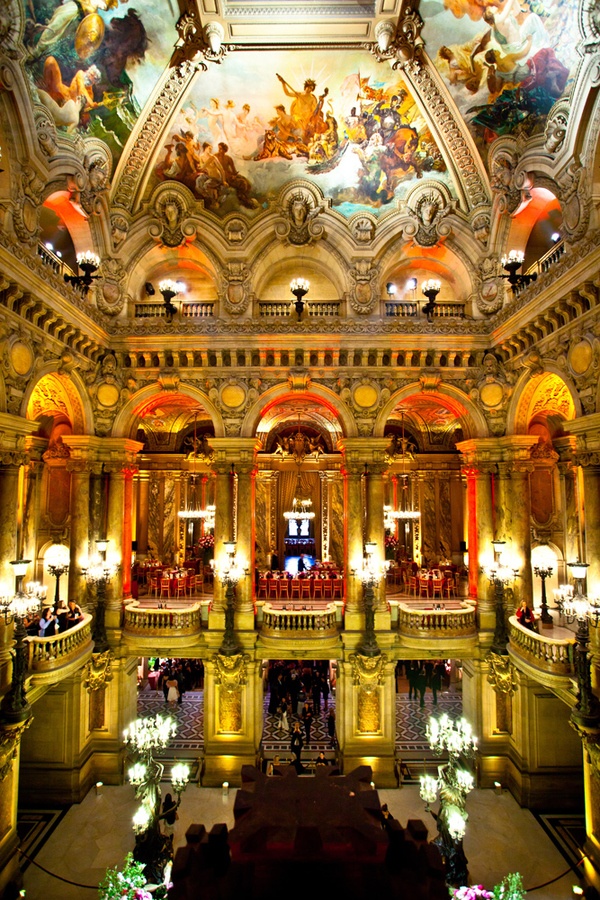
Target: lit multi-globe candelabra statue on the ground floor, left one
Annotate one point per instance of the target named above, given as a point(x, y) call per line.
point(144, 739)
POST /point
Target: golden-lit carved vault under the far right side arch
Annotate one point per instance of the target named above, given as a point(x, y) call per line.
point(561, 392)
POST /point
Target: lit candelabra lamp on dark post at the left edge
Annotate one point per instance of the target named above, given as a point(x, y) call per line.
point(17, 608)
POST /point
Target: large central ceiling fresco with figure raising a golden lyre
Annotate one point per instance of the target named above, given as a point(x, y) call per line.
point(340, 120)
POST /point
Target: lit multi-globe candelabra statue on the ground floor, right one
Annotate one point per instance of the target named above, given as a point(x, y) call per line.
point(451, 787)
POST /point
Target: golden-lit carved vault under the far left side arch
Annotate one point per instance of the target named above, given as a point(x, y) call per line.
point(69, 393)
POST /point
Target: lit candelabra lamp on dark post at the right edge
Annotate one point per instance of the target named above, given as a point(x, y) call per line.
point(576, 606)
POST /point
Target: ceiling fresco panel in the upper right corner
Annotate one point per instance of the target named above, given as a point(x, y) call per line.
point(506, 62)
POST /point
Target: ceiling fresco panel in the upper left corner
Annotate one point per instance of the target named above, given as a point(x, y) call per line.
point(94, 63)
